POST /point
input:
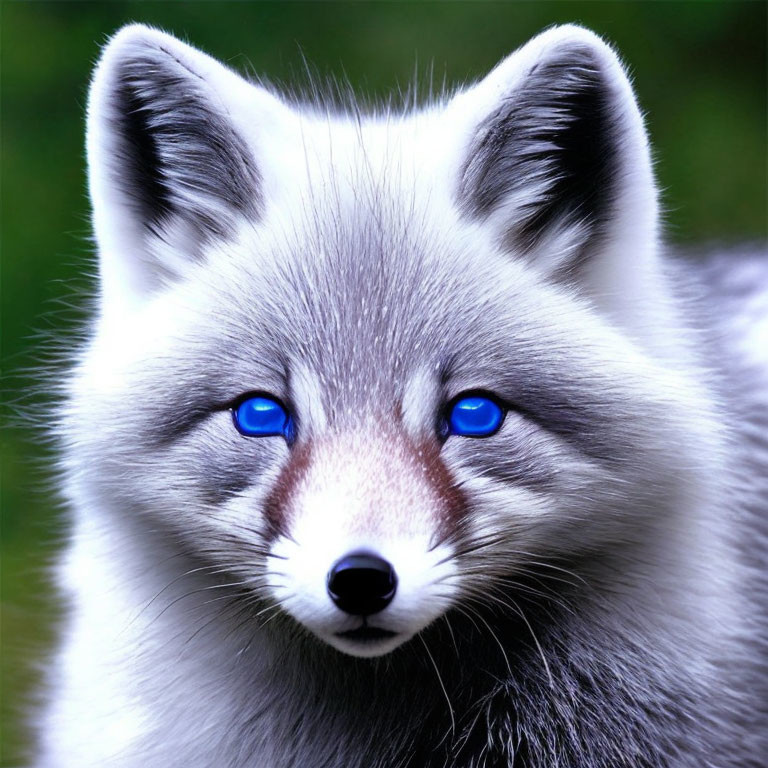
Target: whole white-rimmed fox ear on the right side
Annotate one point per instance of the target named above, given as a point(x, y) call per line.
point(556, 158)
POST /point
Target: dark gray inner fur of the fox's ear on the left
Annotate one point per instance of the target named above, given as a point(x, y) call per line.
point(175, 152)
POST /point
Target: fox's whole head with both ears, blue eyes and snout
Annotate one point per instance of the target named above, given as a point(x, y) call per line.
point(379, 366)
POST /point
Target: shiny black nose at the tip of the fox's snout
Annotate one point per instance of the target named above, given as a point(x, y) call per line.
point(362, 584)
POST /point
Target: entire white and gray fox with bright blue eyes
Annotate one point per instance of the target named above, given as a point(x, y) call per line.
point(397, 442)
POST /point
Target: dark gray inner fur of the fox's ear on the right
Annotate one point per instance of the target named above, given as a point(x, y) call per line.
point(558, 129)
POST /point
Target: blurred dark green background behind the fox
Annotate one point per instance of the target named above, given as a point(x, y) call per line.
point(699, 70)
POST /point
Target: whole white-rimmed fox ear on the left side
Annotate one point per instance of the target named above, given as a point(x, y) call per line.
point(172, 164)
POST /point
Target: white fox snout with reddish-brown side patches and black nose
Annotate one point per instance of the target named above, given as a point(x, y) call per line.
point(358, 522)
